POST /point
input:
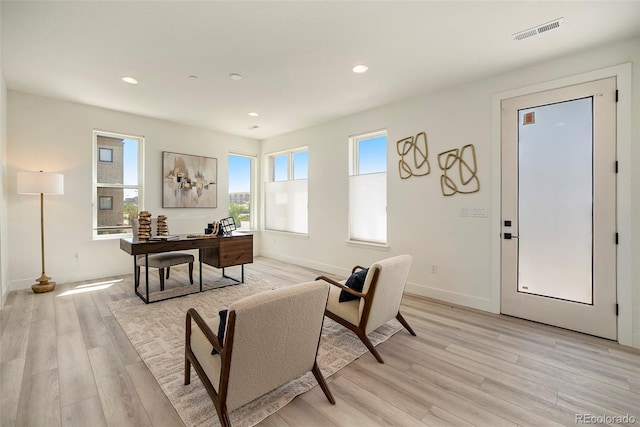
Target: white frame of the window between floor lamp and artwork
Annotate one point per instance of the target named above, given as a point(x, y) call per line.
point(95, 184)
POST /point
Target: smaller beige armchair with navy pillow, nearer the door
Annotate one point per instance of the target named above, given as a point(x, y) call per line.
point(378, 302)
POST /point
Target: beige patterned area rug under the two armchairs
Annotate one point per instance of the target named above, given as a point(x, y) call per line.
point(157, 333)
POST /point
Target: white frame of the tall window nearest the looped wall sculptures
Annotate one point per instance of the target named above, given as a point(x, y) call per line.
point(354, 164)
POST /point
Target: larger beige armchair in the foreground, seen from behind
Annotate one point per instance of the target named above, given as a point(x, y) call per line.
point(271, 338)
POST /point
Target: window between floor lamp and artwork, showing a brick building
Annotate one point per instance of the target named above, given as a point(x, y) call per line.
point(117, 183)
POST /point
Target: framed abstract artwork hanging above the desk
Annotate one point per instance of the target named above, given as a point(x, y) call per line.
point(189, 181)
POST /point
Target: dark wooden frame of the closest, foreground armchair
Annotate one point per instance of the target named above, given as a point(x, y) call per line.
point(220, 398)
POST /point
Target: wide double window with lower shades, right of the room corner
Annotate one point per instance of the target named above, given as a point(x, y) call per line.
point(286, 195)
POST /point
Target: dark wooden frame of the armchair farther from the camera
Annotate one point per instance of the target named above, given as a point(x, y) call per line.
point(360, 329)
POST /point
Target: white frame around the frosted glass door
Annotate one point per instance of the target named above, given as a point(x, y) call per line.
point(623, 202)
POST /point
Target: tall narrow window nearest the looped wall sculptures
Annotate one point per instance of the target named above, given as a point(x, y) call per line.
point(368, 188)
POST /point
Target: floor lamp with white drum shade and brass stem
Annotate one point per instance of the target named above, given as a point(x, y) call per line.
point(41, 183)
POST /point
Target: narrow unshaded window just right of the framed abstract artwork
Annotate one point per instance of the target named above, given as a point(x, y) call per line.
point(241, 190)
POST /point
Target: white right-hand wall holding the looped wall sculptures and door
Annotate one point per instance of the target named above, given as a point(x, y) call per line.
point(421, 221)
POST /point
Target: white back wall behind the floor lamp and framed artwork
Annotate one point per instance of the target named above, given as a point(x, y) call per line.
point(56, 136)
